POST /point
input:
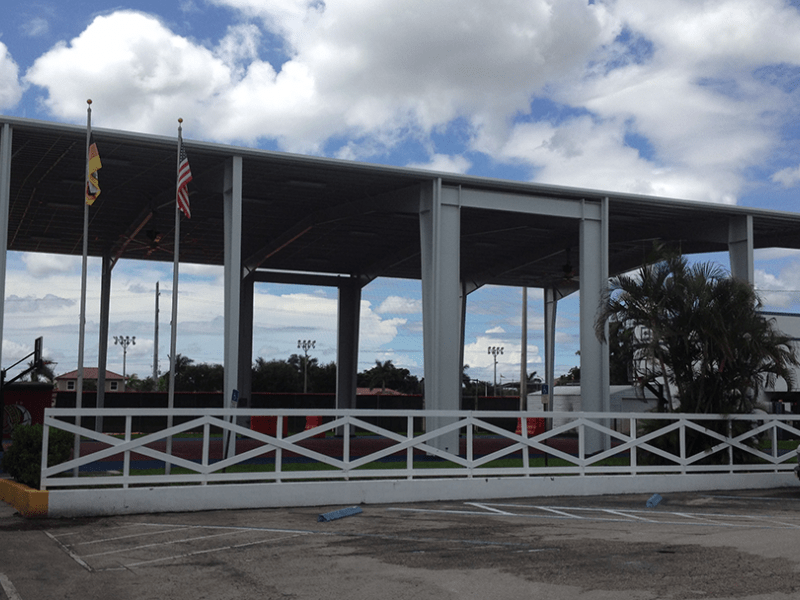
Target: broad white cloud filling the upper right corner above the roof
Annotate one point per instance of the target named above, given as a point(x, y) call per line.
point(684, 77)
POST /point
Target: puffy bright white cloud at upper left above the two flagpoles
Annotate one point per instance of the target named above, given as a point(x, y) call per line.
point(139, 74)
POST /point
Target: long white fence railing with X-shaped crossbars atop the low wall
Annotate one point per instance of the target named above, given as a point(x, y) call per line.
point(208, 446)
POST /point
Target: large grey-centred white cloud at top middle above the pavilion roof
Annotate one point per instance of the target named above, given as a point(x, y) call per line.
point(383, 69)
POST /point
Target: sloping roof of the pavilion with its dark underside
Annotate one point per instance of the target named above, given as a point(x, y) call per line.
point(311, 214)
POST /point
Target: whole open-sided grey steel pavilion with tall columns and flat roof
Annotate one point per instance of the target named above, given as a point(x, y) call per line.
point(276, 217)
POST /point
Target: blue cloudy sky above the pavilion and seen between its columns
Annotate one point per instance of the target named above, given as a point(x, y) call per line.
point(691, 99)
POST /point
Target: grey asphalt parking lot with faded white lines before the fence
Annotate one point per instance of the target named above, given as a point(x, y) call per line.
point(701, 545)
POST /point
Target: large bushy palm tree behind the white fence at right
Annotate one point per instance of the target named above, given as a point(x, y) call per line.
point(698, 331)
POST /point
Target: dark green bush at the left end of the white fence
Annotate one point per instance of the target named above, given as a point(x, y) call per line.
point(23, 460)
